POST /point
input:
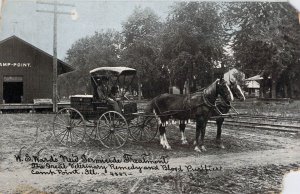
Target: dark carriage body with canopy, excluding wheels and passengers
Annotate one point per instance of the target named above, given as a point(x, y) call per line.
point(93, 106)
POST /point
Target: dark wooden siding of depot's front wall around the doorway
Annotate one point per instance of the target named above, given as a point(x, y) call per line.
point(37, 79)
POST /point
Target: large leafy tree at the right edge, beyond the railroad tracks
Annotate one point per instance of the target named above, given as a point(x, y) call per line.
point(266, 39)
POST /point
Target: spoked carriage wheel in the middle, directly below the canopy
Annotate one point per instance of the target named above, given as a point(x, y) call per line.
point(112, 129)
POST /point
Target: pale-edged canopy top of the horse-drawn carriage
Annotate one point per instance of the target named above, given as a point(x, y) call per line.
point(115, 71)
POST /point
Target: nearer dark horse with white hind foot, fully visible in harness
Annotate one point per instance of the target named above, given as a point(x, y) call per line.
point(199, 106)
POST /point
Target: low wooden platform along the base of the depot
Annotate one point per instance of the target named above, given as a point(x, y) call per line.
point(31, 107)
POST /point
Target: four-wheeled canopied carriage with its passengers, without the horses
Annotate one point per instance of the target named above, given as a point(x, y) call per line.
point(108, 115)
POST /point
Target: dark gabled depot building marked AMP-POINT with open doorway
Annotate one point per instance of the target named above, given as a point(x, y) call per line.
point(26, 72)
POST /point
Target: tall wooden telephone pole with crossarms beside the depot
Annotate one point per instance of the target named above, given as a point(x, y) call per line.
point(55, 13)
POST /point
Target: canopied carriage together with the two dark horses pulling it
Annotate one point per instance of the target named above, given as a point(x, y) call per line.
point(111, 120)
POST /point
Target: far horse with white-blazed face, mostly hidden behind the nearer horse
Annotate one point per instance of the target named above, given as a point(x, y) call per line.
point(224, 107)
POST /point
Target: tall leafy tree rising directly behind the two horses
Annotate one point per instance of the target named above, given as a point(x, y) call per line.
point(193, 41)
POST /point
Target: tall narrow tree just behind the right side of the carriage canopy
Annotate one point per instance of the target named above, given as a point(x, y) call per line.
point(140, 50)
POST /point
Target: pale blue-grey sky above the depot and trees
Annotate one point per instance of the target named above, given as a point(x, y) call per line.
point(20, 18)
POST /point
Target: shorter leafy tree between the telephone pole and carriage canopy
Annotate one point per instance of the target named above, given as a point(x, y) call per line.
point(101, 49)
